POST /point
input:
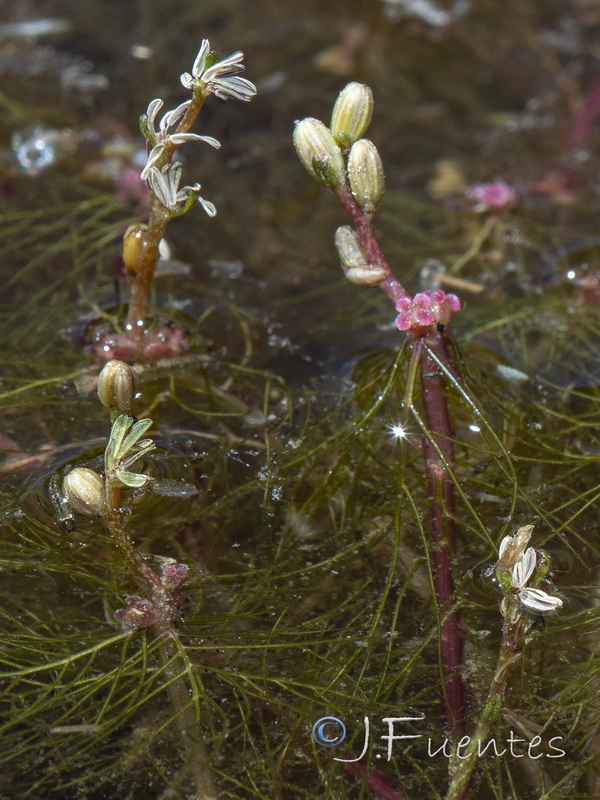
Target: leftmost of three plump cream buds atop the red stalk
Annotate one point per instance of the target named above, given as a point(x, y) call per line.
point(319, 152)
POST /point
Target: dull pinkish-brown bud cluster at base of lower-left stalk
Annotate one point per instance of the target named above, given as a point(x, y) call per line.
point(166, 606)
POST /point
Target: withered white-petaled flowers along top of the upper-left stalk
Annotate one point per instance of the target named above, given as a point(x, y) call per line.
point(210, 75)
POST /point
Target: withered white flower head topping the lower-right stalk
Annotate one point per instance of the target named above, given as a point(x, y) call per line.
point(517, 566)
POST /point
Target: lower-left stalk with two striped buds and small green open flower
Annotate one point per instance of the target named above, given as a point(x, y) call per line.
point(162, 602)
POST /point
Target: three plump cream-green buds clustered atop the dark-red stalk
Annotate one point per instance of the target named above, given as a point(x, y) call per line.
point(338, 156)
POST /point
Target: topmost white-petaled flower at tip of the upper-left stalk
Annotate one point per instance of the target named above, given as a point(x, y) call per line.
point(220, 79)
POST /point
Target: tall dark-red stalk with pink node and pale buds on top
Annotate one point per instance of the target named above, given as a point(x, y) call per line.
point(352, 168)
